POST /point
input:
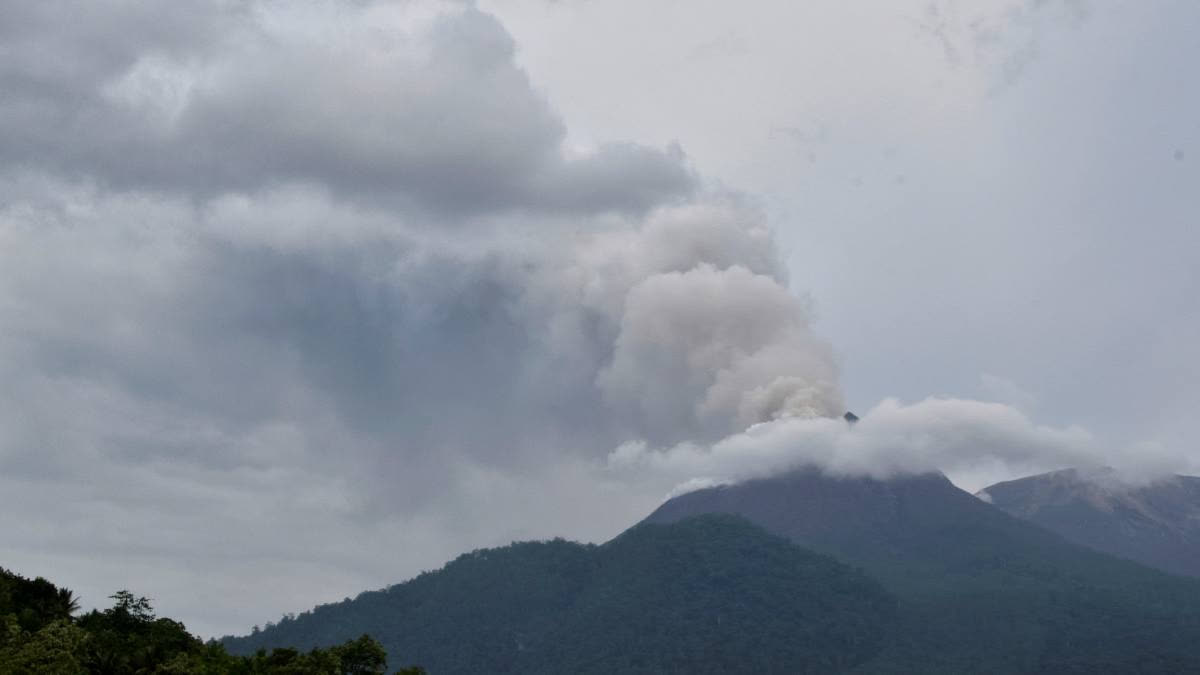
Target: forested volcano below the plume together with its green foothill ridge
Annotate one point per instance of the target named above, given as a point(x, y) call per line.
point(820, 574)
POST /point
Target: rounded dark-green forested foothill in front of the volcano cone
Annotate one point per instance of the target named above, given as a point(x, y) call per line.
point(709, 595)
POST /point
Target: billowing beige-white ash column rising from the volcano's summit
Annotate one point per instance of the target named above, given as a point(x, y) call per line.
point(701, 337)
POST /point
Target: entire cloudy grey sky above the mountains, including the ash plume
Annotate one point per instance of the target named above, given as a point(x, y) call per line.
point(302, 300)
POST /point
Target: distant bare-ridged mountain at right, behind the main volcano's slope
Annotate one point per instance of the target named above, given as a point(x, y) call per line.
point(1157, 525)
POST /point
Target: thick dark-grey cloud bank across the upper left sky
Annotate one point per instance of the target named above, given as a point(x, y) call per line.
point(440, 118)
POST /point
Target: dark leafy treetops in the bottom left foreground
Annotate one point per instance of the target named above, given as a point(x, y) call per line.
point(39, 635)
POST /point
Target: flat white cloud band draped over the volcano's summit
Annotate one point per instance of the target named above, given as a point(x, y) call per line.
point(974, 443)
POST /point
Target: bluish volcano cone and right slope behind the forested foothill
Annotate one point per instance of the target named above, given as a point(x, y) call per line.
point(979, 590)
